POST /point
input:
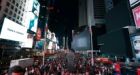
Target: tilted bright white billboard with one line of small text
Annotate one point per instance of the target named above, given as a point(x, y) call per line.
point(13, 31)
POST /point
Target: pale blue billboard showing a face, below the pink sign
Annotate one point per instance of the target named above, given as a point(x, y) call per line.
point(136, 45)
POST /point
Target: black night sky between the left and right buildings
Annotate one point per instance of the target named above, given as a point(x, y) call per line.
point(62, 18)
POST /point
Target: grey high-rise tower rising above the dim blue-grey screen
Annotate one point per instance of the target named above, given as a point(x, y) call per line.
point(92, 11)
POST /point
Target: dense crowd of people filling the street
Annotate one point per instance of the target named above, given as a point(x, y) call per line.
point(62, 65)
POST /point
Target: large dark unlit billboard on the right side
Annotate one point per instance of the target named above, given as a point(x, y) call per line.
point(116, 43)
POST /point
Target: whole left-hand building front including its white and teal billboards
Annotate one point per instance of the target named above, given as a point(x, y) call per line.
point(15, 13)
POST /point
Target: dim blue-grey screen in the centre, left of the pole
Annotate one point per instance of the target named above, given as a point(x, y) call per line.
point(81, 41)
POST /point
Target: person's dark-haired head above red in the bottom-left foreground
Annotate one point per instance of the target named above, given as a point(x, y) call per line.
point(16, 70)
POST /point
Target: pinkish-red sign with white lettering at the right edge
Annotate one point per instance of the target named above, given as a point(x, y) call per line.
point(136, 14)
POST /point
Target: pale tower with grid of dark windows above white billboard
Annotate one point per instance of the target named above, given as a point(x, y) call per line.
point(13, 10)
